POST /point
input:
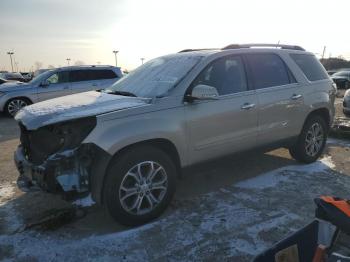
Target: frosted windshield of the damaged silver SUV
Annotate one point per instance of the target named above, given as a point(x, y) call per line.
point(156, 77)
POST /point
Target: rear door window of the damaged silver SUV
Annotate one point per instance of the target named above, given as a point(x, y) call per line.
point(268, 70)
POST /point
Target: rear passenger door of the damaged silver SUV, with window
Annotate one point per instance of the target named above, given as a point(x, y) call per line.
point(280, 101)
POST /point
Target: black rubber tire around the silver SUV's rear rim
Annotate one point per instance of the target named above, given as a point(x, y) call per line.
point(299, 151)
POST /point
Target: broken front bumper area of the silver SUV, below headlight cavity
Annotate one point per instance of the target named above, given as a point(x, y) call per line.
point(66, 171)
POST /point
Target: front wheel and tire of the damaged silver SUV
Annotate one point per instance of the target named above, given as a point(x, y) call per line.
point(123, 174)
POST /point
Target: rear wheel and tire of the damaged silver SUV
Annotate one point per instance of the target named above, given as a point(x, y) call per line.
point(309, 146)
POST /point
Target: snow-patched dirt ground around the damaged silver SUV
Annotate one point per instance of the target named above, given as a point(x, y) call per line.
point(229, 209)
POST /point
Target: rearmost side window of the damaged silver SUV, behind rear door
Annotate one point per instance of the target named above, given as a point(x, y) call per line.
point(311, 67)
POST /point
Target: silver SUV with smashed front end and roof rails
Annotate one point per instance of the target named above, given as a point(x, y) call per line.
point(127, 144)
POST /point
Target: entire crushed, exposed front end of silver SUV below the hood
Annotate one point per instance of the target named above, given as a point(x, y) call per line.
point(53, 158)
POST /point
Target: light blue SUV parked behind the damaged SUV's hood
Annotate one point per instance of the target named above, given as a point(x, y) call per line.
point(54, 83)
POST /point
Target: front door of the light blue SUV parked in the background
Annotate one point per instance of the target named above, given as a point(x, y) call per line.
point(58, 85)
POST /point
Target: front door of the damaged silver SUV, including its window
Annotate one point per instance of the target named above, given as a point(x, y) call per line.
point(226, 125)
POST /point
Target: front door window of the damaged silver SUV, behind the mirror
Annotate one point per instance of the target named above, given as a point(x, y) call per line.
point(226, 74)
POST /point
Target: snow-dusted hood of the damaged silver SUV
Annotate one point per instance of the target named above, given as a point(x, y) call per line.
point(74, 106)
